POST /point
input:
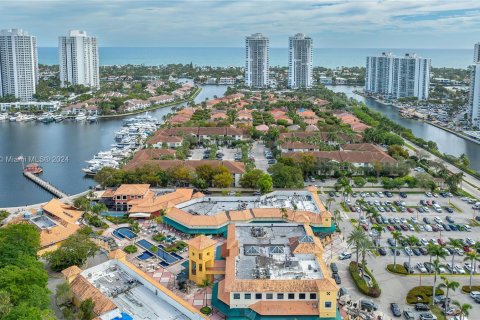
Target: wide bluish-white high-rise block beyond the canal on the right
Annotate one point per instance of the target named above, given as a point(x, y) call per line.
point(398, 77)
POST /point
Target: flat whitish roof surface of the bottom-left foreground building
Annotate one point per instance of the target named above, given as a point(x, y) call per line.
point(129, 294)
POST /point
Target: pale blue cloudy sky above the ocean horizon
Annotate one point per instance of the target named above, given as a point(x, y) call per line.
point(452, 24)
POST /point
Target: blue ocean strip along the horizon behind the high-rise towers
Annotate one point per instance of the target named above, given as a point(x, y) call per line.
point(223, 57)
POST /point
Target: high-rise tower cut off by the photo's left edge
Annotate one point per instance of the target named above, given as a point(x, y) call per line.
point(18, 64)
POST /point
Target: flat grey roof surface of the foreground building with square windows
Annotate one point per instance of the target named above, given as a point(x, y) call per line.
point(265, 252)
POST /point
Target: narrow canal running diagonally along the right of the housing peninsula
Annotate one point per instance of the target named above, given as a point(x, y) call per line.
point(447, 142)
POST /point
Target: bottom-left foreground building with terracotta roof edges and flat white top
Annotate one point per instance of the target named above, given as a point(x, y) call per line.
point(119, 289)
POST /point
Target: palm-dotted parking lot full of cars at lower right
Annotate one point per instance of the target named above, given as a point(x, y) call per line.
point(395, 287)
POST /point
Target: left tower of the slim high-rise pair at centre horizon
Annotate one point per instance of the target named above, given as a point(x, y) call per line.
point(256, 61)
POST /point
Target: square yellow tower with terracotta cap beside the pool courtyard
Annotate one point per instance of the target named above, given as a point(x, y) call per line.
point(201, 255)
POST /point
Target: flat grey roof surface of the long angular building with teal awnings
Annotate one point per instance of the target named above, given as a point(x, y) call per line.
point(300, 200)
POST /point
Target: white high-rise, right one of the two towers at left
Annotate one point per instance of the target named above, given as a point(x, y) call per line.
point(78, 56)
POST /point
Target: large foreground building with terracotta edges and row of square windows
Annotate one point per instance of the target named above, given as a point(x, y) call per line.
point(275, 269)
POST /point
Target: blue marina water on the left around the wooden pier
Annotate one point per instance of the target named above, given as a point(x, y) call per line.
point(70, 143)
